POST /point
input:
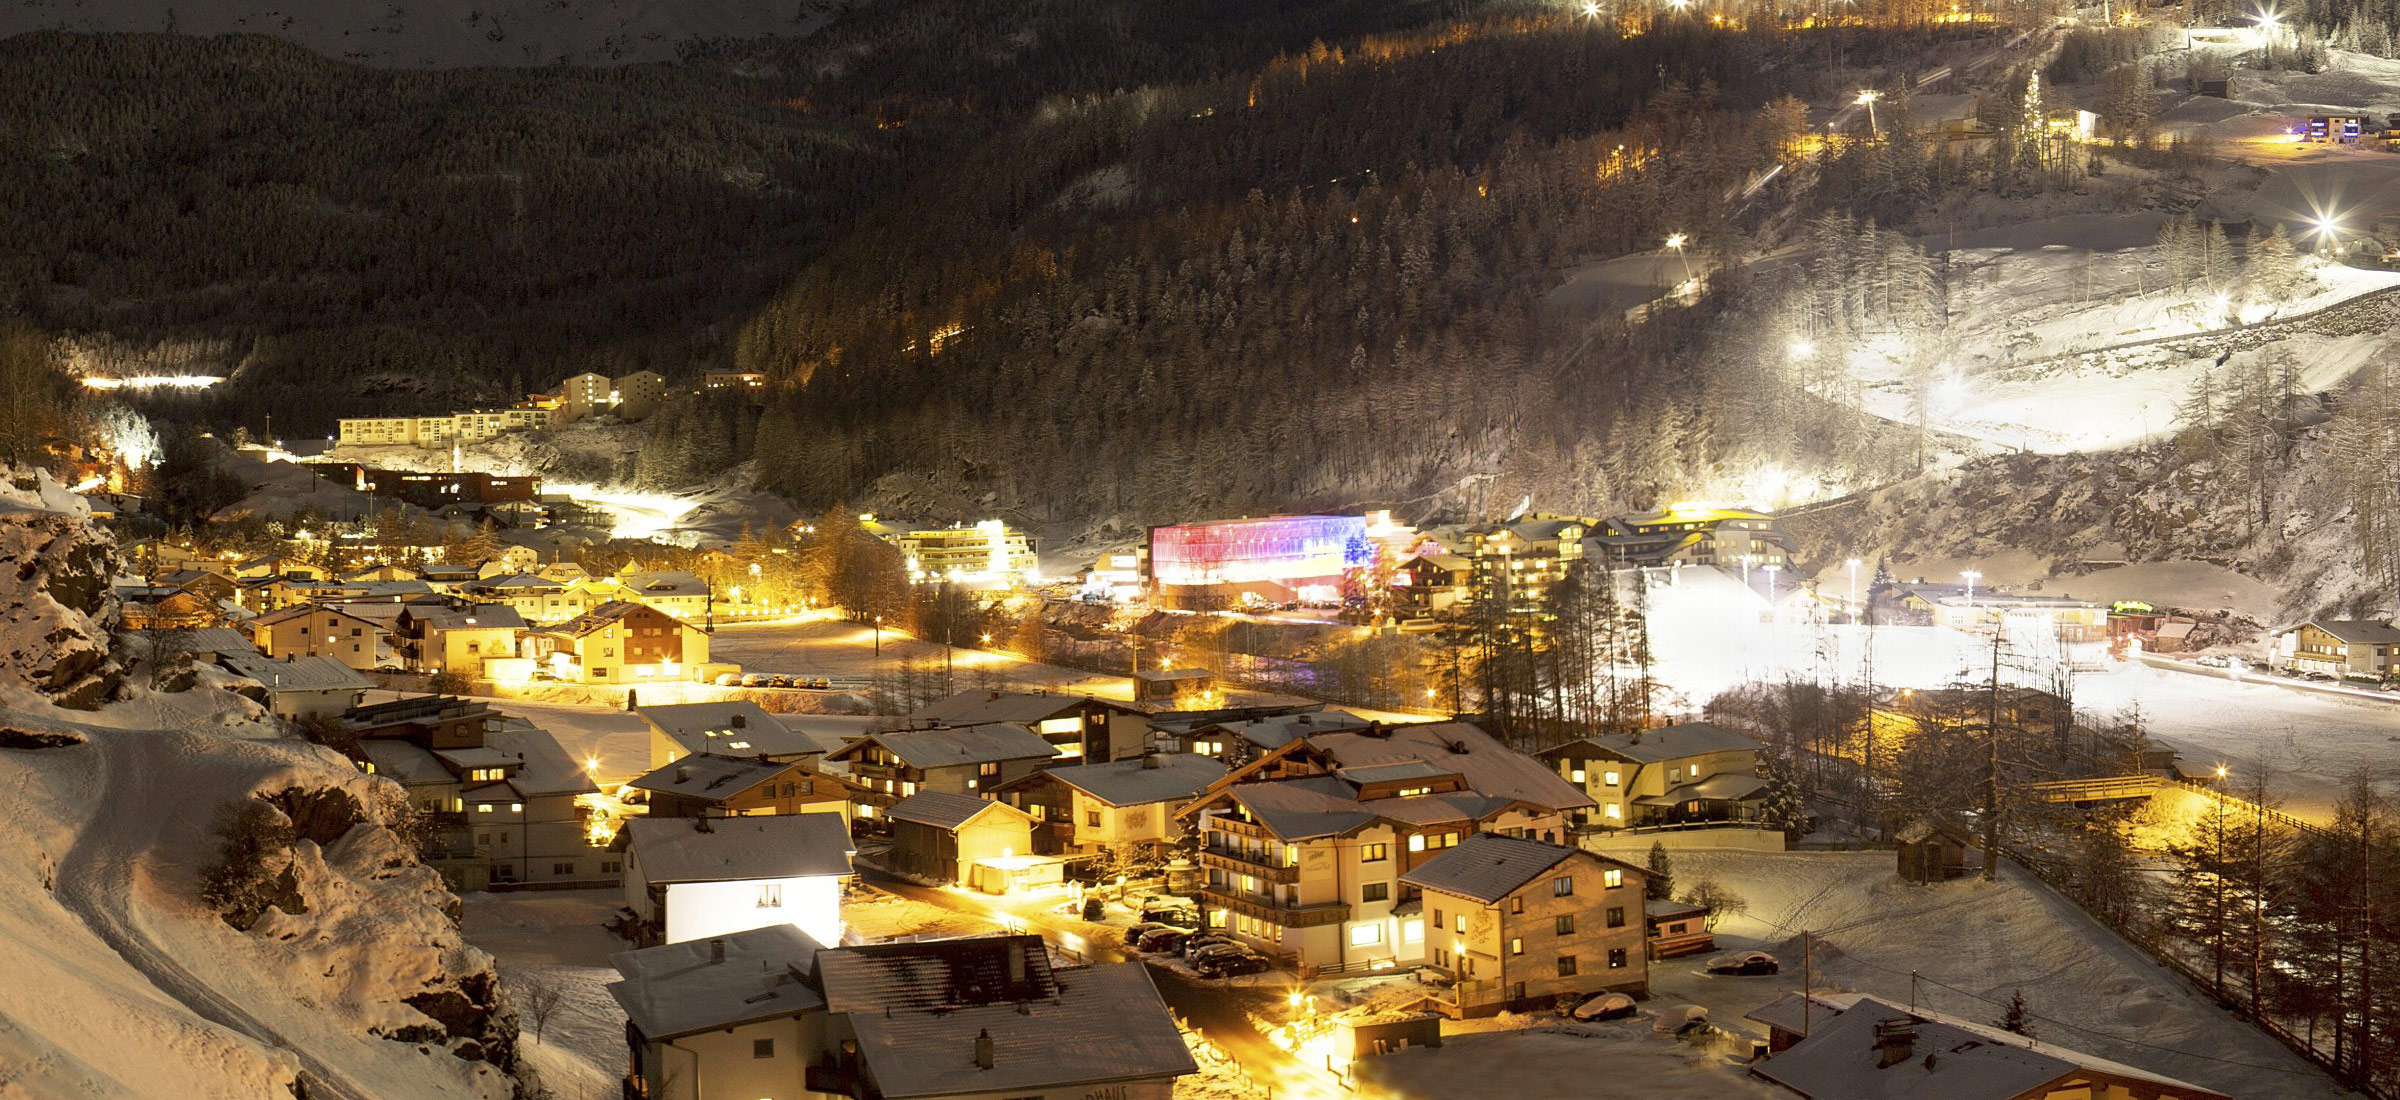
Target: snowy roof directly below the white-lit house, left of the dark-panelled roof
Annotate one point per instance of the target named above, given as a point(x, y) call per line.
point(678, 991)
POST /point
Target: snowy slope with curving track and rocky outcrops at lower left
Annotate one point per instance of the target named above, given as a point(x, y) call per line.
point(124, 984)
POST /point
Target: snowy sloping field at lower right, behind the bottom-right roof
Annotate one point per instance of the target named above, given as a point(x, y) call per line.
point(1972, 945)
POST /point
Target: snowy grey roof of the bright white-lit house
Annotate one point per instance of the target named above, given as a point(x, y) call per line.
point(740, 849)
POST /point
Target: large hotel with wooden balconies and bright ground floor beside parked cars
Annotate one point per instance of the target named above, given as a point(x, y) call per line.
point(1307, 847)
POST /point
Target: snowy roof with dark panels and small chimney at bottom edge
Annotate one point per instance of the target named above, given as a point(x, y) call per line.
point(920, 1010)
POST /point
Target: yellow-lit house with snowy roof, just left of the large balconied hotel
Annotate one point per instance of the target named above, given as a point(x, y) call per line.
point(1093, 808)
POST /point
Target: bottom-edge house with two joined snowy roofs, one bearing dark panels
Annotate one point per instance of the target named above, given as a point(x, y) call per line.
point(774, 1015)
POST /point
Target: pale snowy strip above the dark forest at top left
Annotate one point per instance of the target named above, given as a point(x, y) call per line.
point(428, 35)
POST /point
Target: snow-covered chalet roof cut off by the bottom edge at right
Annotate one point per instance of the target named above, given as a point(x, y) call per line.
point(1852, 1046)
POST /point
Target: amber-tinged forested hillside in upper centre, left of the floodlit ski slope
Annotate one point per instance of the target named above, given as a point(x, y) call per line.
point(1312, 285)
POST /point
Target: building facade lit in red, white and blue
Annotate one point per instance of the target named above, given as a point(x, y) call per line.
point(1276, 558)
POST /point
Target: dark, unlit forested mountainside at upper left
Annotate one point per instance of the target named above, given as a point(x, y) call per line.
point(467, 234)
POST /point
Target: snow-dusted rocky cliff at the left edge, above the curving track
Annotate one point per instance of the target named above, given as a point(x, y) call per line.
point(56, 604)
